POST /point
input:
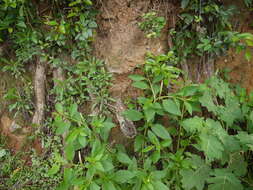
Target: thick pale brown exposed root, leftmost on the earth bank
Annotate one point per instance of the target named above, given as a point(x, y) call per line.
point(39, 88)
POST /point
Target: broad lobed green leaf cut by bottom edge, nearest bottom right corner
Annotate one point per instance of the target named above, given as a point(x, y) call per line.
point(223, 179)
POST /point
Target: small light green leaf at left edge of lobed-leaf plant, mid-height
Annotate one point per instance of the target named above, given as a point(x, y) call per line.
point(193, 125)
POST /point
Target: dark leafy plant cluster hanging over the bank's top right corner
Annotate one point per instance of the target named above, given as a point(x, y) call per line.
point(205, 30)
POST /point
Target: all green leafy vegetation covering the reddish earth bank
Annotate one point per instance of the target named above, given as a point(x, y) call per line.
point(198, 136)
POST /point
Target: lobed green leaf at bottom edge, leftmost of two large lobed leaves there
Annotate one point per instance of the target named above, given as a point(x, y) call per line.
point(197, 176)
